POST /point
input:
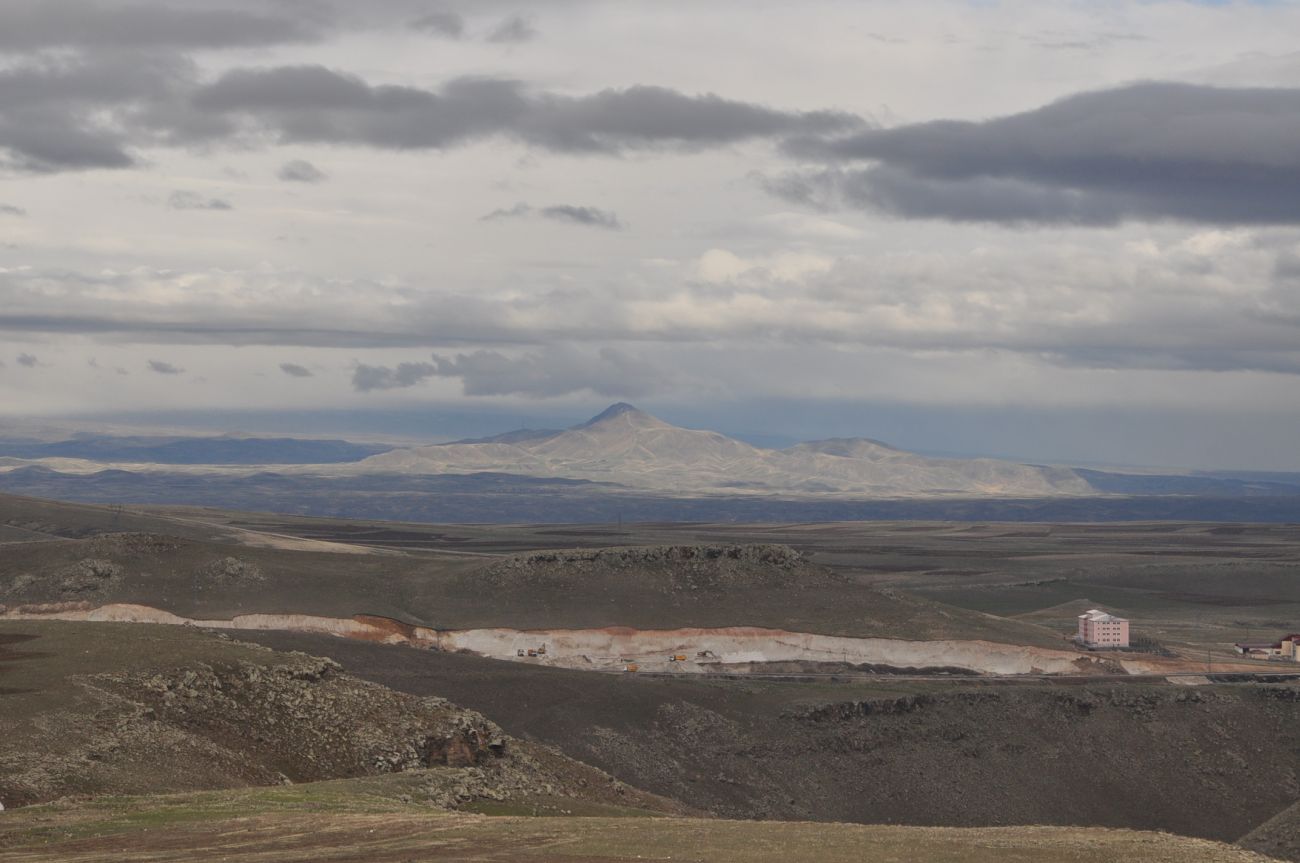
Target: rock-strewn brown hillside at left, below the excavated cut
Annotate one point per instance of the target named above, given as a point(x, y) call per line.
point(236, 715)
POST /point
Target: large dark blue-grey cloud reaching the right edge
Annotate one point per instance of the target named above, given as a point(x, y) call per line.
point(1151, 151)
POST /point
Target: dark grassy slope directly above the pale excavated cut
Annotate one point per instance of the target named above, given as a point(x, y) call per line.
point(184, 576)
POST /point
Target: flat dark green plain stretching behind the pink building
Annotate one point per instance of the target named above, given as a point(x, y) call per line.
point(1201, 583)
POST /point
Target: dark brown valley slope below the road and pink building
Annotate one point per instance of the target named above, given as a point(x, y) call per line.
point(913, 754)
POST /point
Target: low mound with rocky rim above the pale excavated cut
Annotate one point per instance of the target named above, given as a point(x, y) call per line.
point(668, 570)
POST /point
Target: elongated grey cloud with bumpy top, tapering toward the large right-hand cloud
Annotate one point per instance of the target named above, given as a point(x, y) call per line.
point(319, 106)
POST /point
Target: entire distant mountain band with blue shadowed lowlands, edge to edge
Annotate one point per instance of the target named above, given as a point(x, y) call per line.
point(623, 465)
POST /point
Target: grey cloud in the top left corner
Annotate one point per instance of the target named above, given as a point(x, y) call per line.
point(34, 25)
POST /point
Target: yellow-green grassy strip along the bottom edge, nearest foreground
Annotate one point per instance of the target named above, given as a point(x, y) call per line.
point(346, 822)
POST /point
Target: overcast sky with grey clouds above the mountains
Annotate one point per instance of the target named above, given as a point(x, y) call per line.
point(1063, 232)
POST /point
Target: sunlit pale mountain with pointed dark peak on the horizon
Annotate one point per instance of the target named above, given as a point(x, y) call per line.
point(634, 449)
